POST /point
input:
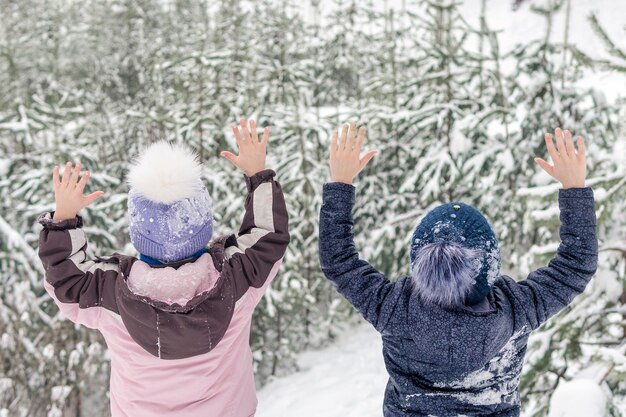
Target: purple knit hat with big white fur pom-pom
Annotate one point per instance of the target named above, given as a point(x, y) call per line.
point(169, 209)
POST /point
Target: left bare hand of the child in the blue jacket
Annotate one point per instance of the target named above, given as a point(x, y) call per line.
point(345, 159)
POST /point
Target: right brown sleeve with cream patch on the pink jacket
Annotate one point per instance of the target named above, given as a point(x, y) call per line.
point(263, 236)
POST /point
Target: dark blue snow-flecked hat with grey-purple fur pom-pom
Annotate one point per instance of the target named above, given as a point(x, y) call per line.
point(455, 257)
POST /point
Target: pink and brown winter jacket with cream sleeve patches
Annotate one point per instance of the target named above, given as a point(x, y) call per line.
point(185, 353)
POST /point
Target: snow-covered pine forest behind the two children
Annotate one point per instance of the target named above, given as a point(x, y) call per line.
point(453, 113)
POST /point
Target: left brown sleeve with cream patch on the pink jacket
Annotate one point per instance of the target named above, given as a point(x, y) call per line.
point(71, 279)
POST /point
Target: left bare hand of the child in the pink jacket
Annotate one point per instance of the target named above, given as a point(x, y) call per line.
point(68, 192)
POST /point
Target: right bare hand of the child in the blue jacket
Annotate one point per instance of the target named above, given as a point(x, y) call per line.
point(570, 166)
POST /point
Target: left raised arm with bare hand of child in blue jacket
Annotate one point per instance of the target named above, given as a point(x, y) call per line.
point(369, 291)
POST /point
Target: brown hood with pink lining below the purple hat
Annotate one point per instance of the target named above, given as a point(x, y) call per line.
point(176, 321)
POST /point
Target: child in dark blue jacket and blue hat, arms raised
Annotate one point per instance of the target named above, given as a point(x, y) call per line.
point(455, 331)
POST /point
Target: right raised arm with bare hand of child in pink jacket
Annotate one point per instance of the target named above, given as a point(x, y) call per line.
point(263, 236)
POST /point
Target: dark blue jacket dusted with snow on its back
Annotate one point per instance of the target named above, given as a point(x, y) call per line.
point(463, 362)
